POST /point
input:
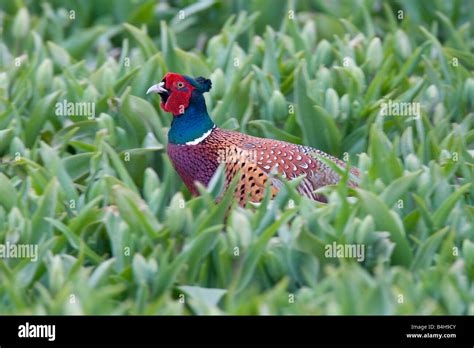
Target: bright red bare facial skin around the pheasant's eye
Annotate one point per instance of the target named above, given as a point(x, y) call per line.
point(180, 91)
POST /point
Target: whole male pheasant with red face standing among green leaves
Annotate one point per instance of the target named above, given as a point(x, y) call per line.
point(196, 147)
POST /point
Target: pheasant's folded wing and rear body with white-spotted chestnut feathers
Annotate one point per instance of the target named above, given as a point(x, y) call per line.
point(258, 158)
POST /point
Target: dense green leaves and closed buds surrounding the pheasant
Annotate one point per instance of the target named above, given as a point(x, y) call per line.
point(118, 233)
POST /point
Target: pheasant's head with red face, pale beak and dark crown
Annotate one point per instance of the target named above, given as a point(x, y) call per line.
point(176, 90)
